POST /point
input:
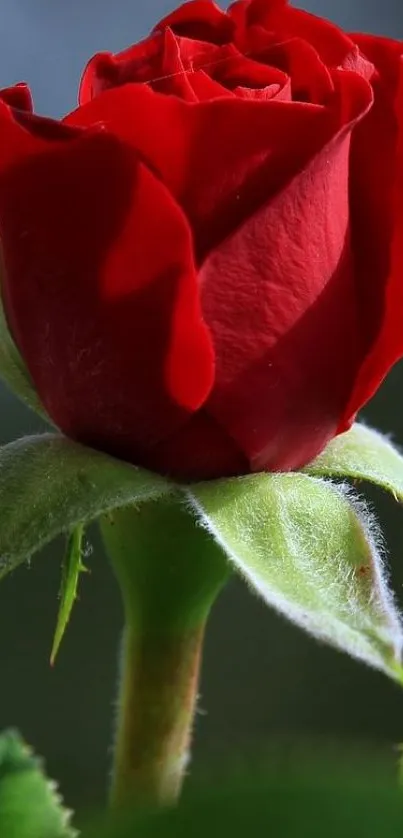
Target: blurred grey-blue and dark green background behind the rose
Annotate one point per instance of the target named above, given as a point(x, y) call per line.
point(262, 678)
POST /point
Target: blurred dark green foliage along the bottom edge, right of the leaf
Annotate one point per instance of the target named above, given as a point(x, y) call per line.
point(295, 805)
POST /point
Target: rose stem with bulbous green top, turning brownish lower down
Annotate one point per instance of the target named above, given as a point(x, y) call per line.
point(170, 573)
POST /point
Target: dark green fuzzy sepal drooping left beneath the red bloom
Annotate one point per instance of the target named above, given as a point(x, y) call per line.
point(49, 485)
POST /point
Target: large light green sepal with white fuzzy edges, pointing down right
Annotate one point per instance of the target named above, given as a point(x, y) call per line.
point(312, 551)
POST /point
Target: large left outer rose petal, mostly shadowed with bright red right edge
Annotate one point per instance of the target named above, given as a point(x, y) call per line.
point(100, 287)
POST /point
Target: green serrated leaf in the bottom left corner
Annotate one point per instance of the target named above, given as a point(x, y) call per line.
point(30, 806)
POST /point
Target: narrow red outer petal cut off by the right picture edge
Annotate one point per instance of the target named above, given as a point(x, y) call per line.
point(377, 213)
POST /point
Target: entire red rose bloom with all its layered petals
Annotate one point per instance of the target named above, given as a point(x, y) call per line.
point(203, 263)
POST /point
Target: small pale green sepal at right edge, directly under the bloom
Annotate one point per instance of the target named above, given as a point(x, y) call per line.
point(362, 454)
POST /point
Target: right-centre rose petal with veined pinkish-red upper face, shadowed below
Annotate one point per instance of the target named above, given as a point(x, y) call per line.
point(279, 297)
